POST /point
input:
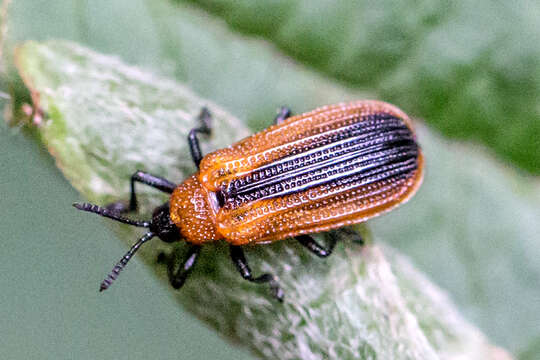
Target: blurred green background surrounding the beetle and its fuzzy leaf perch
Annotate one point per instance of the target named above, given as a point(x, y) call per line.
point(471, 70)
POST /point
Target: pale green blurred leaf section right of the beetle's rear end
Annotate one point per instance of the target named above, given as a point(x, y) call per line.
point(474, 226)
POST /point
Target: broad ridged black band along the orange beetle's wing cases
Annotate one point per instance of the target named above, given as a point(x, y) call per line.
point(383, 147)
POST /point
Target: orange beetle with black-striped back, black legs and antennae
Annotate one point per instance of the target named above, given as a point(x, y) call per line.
point(335, 166)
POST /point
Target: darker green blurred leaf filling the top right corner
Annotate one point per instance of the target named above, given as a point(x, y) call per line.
point(471, 69)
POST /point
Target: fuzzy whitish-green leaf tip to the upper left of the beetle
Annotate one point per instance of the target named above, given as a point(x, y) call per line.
point(86, 97)
